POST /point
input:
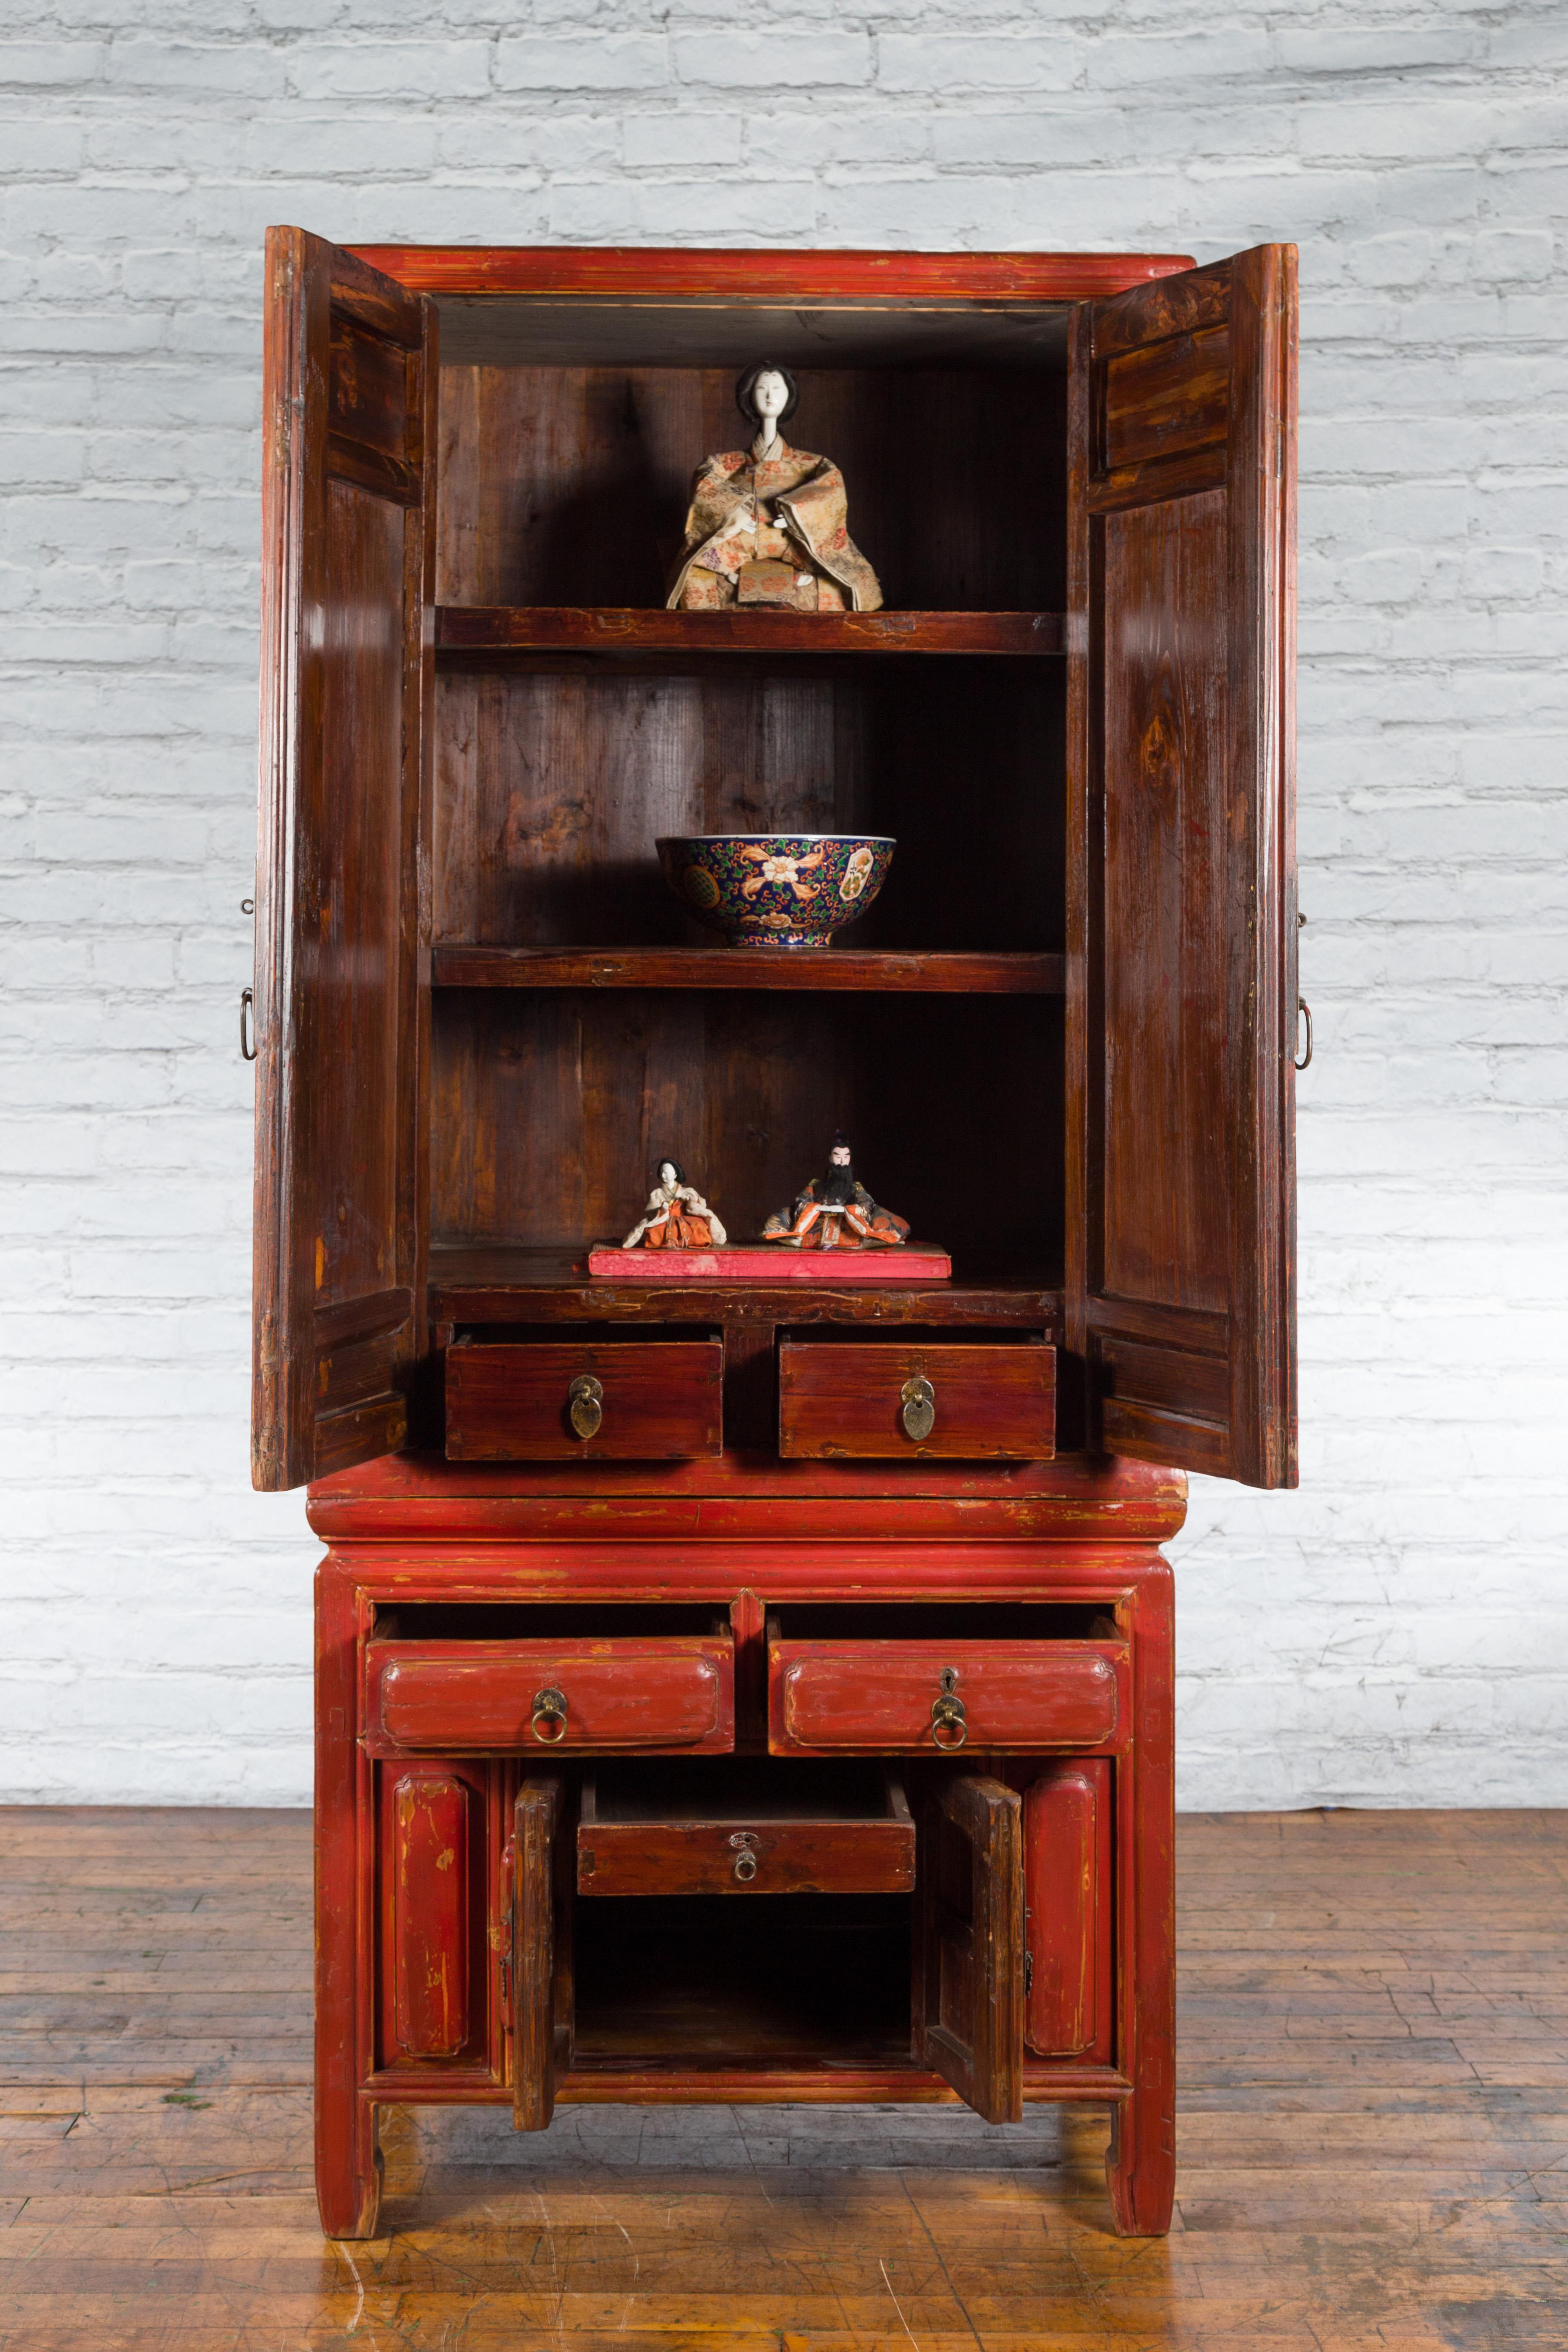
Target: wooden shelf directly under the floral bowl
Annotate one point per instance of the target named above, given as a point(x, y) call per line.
point(897, 973)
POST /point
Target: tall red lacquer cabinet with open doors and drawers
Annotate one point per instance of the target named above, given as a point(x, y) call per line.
point(746, 1737)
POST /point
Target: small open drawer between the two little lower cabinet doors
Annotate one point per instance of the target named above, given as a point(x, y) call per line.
point(784, 1831)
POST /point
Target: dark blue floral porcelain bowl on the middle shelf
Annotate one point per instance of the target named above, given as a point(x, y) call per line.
point(777, 890)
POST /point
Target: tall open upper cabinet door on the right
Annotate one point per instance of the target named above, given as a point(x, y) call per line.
point(1181, 869)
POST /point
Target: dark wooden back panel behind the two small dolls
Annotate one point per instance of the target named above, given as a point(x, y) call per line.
point(551, 1109)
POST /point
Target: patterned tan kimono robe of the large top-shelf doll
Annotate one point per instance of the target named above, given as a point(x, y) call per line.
point(793, 549)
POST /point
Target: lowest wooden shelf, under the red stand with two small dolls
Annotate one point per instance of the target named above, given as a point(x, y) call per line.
point(511, 1283)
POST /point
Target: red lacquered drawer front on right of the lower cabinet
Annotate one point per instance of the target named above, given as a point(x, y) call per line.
point(944, 1697)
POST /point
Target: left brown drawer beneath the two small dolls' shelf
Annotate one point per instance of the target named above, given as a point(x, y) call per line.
point(587, 1401)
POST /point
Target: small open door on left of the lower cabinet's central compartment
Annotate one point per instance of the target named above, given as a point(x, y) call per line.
point(540, 1949)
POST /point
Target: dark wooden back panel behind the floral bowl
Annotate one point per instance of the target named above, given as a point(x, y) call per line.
point(554, 787)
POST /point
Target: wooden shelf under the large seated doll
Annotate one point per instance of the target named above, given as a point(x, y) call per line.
point(495, 632)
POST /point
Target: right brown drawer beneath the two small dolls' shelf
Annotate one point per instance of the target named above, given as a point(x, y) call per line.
point(953, 1403)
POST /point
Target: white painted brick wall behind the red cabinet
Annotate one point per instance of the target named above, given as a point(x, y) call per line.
point(1395, 1633)
